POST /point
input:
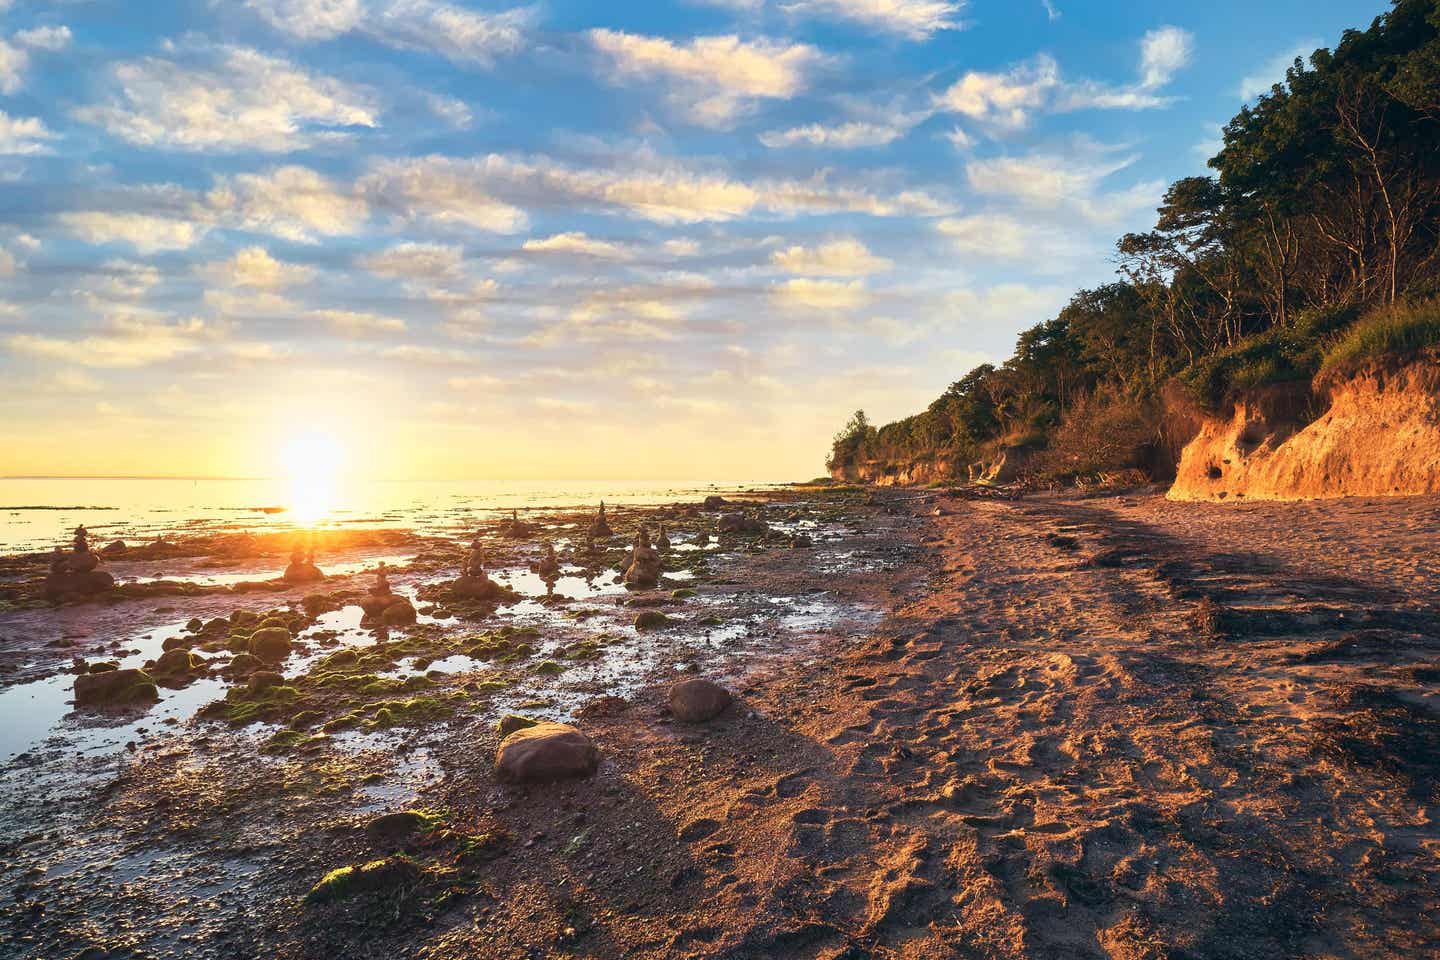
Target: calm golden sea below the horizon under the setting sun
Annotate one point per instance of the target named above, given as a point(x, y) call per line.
point(40, 515)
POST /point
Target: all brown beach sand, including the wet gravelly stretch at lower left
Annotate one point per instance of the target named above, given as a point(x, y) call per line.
point(1056, 728)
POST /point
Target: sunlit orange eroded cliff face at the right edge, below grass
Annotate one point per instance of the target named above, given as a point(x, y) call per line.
point(1379, 437)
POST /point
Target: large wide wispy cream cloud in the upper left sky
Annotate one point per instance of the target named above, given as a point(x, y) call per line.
point(228, 99)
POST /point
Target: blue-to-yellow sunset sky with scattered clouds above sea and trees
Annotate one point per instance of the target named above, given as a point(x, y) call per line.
point(460, 240)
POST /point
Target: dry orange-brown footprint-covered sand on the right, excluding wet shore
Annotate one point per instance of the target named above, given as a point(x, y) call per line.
point(1114, 729)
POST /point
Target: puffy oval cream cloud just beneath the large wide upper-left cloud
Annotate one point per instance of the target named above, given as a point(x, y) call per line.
point(294, 204)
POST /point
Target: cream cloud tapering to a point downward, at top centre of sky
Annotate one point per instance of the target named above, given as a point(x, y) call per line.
point(714, 78)
